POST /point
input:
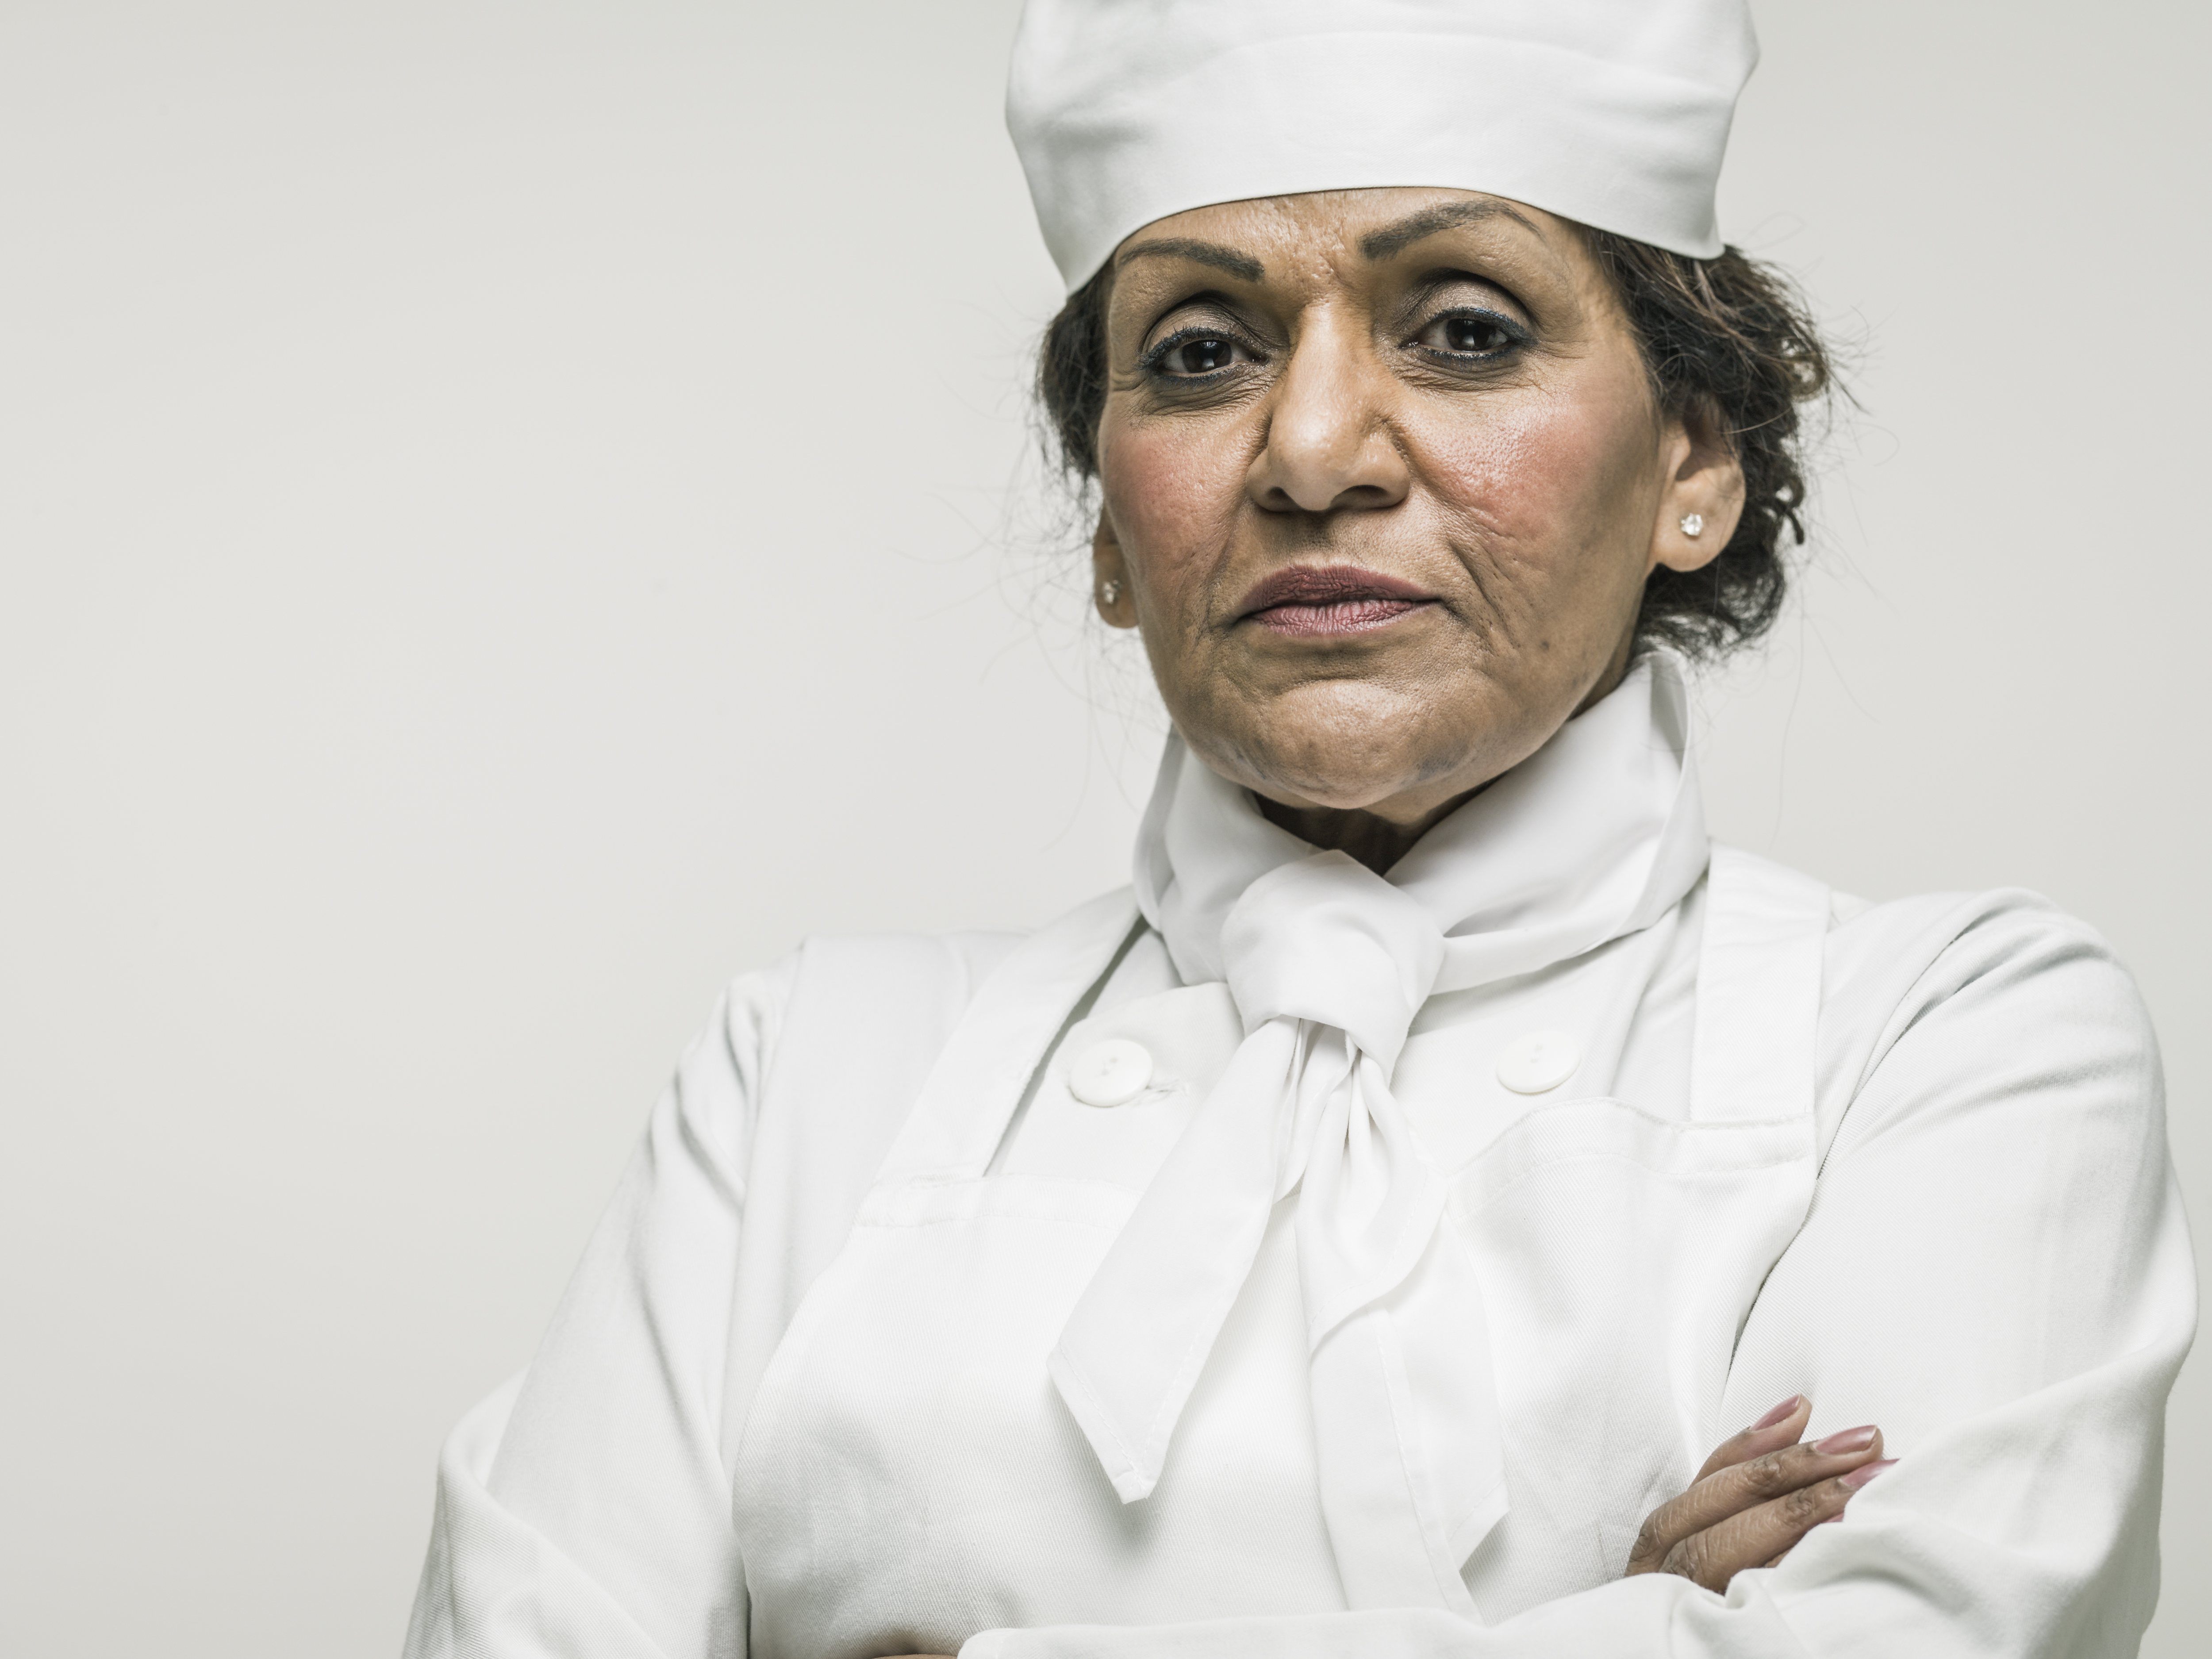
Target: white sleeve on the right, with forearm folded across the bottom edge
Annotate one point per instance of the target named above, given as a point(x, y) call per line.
point(1994, 1269)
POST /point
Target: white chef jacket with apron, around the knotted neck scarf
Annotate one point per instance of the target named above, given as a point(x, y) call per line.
point(1985, 1253)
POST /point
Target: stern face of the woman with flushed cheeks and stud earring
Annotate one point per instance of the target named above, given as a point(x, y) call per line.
point(1384, 479)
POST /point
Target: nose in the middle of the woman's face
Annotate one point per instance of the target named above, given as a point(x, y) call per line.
point(1331, 441)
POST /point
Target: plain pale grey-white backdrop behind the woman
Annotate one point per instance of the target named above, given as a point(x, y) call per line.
point(505, 523)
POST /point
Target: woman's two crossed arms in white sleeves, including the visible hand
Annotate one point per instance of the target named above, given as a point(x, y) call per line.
point(1996, 1269)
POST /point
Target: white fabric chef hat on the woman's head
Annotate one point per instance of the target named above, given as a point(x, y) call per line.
point(1607, 112)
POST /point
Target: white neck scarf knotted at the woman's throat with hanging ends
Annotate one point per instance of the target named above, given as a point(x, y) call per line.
point(1594, 837)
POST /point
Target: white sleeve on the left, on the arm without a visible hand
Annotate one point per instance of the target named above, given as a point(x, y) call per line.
point(583, 1510)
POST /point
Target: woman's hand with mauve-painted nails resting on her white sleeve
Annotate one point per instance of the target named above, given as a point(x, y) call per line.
point(1757, 1496)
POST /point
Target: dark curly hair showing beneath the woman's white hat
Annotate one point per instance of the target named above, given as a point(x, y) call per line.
point(1724, 340)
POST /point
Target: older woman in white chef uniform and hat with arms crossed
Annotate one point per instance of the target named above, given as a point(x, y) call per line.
point(1370, 1231)
